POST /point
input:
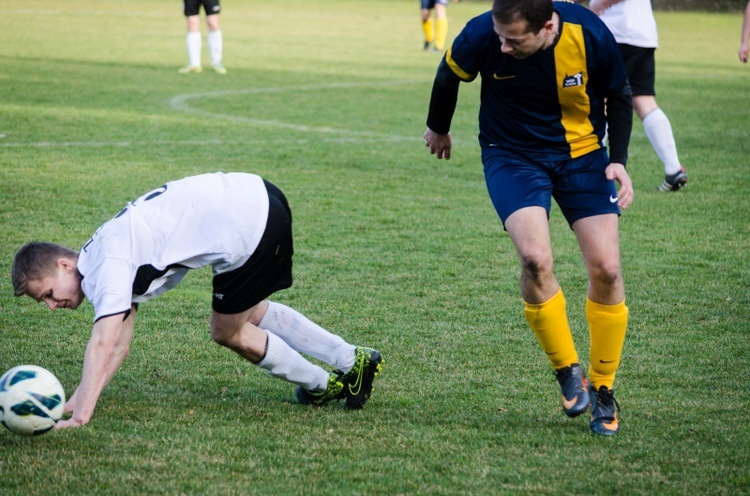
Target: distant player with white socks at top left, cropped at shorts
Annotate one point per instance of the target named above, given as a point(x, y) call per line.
point(194, 39)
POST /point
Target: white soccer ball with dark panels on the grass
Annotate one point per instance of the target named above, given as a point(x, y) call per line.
point(31, 400)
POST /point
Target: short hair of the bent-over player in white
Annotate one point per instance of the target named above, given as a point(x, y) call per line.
point(36, 260)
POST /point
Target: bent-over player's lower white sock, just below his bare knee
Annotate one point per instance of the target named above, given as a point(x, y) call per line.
point(283, 362)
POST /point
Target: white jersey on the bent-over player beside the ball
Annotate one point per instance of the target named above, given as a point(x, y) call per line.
point(146, 249)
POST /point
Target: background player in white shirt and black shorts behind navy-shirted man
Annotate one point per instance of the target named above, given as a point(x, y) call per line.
point(633, 24)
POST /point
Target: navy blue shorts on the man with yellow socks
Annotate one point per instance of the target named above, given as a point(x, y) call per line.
point(578, 185)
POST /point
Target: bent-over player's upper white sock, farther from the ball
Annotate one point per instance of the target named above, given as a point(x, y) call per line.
point(305, 336)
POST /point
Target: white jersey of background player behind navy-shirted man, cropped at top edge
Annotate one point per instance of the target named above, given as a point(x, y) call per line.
point(632, 22)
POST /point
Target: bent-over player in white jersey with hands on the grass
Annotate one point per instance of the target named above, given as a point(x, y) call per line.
point(241, 226)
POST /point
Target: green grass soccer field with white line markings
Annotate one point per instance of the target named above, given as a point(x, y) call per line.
point(395, 250)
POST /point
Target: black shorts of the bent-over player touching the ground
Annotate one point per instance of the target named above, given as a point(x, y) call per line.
point(269, 268)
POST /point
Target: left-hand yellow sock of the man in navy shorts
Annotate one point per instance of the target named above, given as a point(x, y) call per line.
point(549, 321)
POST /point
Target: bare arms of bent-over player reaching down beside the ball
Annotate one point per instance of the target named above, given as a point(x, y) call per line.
point(108, 346)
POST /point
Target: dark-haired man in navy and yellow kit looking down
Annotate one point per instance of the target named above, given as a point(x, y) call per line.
point(553, 81)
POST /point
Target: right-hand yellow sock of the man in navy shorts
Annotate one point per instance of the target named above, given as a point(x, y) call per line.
point(607, 325)
